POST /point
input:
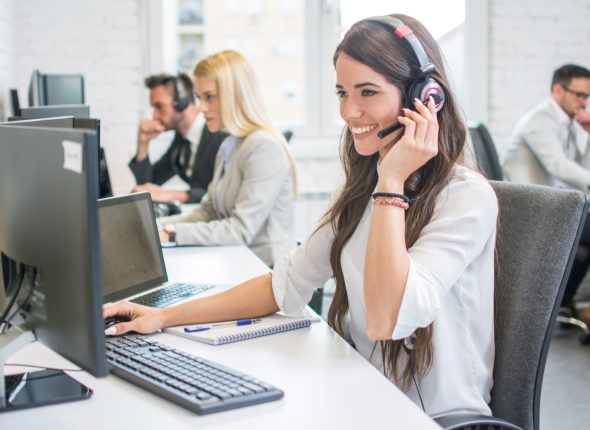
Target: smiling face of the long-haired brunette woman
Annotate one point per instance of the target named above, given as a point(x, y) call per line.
point(368, 104)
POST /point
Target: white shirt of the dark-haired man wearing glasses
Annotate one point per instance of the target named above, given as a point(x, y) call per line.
point(549, 148)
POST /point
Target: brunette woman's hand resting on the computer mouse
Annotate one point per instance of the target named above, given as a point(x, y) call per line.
point(142, 319)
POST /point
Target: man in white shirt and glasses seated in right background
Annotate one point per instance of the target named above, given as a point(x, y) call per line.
point(550, 146)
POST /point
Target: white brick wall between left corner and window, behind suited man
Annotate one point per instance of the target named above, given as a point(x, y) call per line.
point(100, 39)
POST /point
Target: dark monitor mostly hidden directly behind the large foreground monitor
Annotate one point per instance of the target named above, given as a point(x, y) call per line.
point(105, 188)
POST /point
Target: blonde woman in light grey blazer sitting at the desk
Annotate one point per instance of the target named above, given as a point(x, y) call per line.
point(250, 200)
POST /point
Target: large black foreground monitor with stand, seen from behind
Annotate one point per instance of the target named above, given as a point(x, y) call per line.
point(50, 258)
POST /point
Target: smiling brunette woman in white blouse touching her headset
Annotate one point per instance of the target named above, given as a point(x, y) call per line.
point(409, 240)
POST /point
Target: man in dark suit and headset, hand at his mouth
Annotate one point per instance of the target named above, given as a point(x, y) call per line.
point(191, 154)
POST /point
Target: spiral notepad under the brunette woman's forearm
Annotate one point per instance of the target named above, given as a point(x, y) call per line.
point(273, 324)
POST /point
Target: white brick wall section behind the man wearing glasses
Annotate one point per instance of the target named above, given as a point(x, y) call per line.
point(528, 40)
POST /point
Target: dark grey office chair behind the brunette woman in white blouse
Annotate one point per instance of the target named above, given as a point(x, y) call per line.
point(539, 230)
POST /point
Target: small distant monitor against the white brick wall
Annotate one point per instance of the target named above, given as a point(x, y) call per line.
point(56, 89)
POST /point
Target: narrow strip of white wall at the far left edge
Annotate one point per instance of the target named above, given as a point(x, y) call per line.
point(6, 54)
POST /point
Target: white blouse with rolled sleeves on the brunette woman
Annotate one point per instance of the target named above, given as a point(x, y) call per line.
point(450, 284)
